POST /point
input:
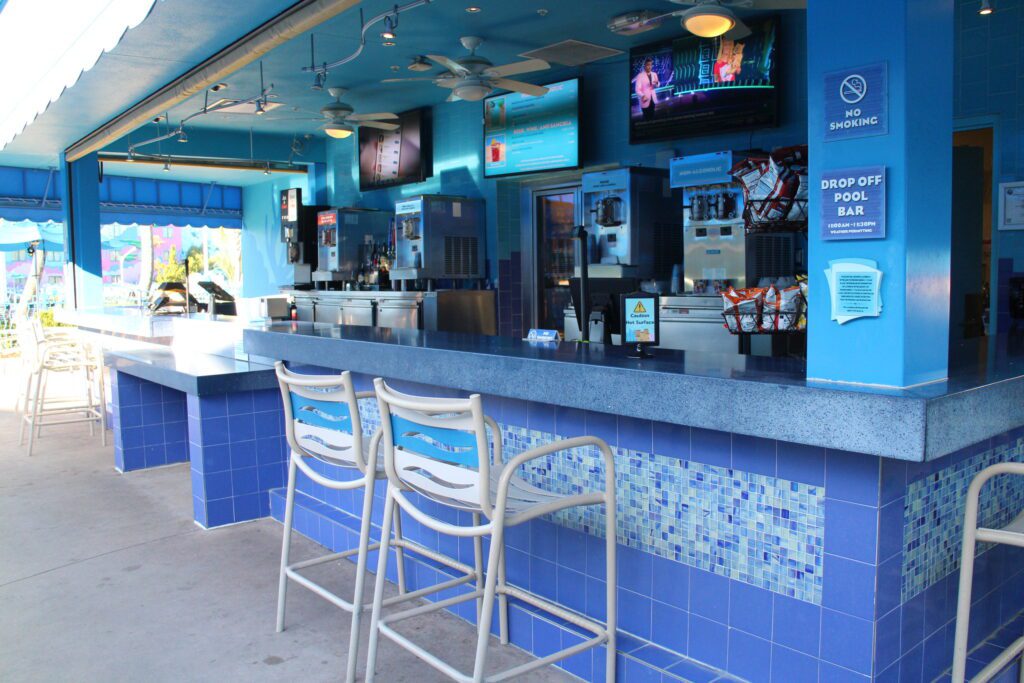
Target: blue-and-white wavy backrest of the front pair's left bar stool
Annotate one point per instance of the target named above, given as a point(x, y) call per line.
point(322, 417)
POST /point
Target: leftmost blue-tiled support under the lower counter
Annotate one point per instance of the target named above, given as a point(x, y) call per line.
point(149, 424)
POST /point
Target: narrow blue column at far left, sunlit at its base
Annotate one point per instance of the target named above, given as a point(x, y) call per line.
point(83, 273)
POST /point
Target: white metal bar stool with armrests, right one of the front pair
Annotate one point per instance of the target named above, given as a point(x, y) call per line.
point(440, 449)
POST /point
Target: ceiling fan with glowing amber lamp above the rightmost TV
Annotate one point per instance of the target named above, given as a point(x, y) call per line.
point(706, 19)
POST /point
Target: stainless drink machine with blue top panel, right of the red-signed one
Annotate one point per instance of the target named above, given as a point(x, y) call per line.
point(440, 238)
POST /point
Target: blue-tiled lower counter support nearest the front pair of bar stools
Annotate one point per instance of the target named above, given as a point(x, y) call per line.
point(238, 453)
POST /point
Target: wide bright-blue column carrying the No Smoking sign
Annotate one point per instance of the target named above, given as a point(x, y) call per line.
point(908, 345)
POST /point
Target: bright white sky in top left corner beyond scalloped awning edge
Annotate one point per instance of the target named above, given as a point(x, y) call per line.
point(47, 46)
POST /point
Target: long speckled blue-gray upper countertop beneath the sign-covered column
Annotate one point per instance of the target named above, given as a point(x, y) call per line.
point(759, 397)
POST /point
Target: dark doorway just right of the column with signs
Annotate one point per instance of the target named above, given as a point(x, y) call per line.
point(971, 249)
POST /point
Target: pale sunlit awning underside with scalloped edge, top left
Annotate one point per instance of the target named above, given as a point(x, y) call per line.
point(177, 36)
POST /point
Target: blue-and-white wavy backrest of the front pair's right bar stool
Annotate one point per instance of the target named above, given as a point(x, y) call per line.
point(438, 448)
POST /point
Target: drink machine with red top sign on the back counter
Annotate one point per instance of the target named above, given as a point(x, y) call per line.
point(352, 244)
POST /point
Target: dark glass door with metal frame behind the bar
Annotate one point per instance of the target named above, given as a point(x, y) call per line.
point(557, 214)
